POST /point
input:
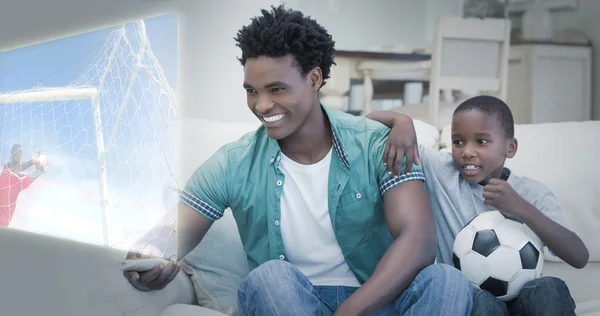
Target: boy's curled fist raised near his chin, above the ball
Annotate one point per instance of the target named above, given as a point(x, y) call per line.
point(502, 196)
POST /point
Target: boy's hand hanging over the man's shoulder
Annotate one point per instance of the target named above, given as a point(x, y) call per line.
point(402, 141)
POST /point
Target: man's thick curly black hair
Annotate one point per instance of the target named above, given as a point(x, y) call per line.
point(282, 32)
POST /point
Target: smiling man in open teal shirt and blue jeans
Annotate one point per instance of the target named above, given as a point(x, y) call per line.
point(327, 230)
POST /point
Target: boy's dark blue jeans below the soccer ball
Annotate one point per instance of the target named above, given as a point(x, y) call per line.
point(547, 296)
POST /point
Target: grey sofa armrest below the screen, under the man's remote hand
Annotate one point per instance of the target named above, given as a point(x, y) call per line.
point(42, 275)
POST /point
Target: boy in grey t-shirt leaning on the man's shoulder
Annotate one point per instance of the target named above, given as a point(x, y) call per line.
point(473, 180)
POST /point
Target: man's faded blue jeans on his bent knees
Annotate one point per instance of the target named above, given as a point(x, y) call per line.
point(278, 288)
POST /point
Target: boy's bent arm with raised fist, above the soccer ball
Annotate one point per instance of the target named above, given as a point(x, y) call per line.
point(563, 242)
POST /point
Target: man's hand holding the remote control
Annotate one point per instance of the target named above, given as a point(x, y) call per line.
point(155, 279)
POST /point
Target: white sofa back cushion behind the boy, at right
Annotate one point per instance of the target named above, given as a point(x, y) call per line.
point(562, 156)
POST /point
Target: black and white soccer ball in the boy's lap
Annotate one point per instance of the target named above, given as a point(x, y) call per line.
point(499, 254)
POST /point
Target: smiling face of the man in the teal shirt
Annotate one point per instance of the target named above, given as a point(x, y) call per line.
point(279, 95)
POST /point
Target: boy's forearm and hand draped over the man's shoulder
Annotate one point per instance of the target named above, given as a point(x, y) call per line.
point(402, 140)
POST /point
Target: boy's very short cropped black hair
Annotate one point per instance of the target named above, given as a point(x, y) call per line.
point(491, 106)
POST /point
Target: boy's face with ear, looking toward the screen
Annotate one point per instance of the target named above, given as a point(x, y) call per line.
point(479, 147)
